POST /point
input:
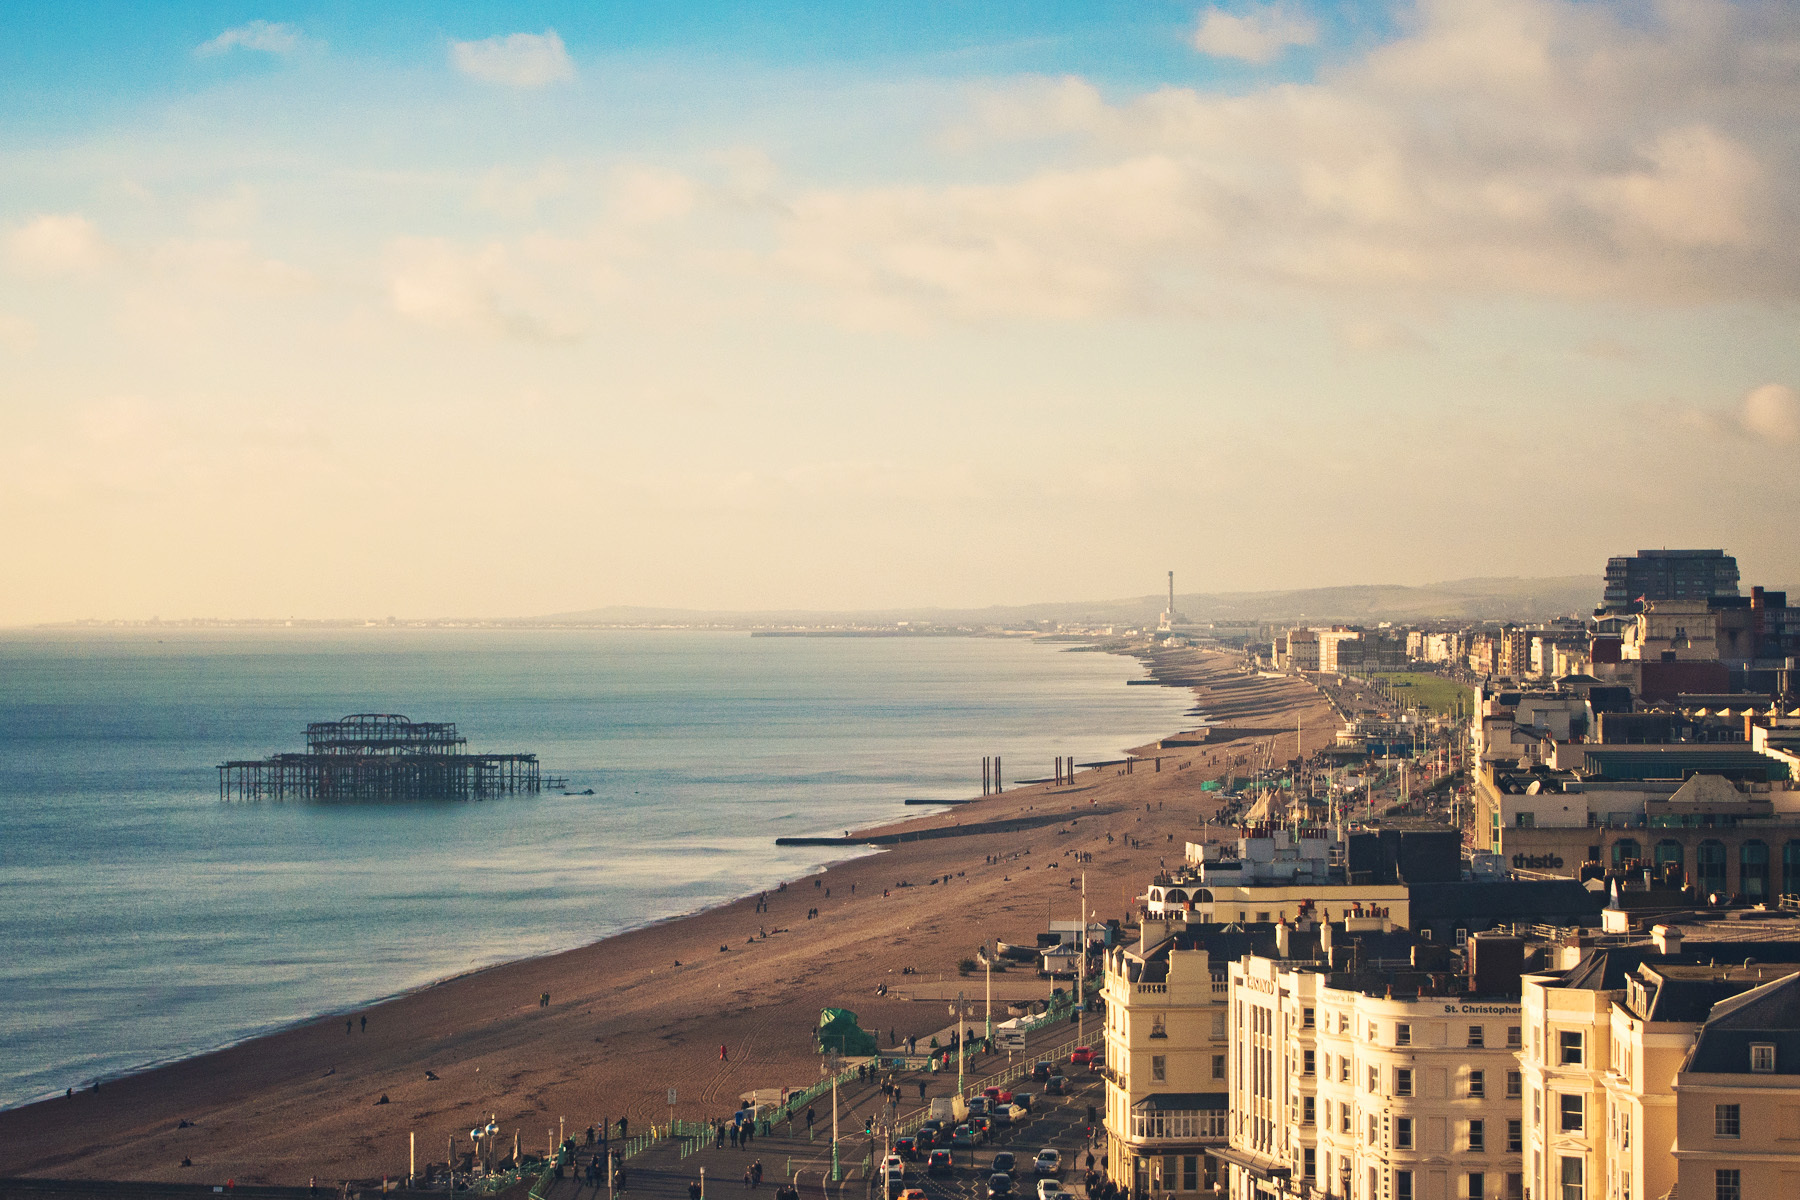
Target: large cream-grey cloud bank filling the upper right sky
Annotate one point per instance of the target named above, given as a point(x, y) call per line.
point(1529, 148)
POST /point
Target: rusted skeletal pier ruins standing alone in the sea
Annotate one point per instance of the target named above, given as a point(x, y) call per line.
point(381, 757)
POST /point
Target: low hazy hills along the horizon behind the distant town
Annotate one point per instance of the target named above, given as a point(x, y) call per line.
point(1457, 600)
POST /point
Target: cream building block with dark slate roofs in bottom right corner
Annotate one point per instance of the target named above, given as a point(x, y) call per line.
point(1621, 1102)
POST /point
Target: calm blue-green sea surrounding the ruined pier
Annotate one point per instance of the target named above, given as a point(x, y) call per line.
point(143, 920)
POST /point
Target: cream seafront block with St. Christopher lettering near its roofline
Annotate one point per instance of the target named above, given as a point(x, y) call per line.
point(1374, 1084)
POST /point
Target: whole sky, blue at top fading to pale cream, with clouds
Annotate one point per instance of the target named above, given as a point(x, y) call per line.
point(474, 310)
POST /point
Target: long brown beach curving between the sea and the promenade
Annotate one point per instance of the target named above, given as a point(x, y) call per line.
point(640, 1014)
